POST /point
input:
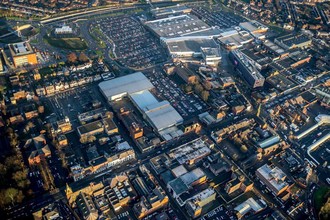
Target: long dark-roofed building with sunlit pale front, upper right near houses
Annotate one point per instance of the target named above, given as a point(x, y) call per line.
point(291, 41)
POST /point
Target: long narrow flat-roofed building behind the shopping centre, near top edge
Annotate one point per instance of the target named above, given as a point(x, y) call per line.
point(170, 11)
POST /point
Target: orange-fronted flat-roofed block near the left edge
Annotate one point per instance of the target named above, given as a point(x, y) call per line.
point(22, 54)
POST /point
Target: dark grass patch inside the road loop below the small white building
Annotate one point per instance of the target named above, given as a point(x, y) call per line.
point(67, 43)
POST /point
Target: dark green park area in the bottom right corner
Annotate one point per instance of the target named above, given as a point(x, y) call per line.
point(322, 202)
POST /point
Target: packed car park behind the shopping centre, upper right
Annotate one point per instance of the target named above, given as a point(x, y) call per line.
point(221, 19)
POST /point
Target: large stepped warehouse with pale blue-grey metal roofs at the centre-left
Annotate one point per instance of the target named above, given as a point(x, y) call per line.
point(159, 114)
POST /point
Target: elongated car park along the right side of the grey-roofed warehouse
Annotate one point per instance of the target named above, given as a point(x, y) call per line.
point(188, 105)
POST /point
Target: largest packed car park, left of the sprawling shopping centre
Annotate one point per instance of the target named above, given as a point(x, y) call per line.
point(134, 46)
